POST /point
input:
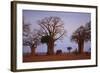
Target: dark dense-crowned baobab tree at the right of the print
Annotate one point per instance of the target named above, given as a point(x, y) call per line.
point(81, 35)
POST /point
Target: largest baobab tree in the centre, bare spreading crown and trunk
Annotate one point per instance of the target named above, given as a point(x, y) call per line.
point(52, 29)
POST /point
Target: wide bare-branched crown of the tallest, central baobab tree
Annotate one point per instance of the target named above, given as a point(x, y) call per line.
point(52, 26)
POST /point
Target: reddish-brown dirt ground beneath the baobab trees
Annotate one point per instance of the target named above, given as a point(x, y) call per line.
point(56, 57)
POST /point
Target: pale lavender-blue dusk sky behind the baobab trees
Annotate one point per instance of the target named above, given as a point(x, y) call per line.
point(71, 20)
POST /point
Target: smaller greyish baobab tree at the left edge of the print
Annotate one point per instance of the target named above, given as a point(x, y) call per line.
point(30, 38)
